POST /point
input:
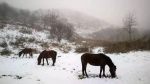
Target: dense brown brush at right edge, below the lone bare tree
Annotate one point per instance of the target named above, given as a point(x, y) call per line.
point(126, 46)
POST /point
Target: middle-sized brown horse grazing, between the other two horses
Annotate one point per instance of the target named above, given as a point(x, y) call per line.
point(47, 54)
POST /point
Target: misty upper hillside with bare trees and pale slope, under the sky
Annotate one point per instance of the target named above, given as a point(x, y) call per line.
point(57, 21)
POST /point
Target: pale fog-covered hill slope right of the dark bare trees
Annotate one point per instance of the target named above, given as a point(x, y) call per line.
point(84, 24)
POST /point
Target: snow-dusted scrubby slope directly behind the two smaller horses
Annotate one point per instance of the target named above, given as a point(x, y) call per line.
point(14, 38)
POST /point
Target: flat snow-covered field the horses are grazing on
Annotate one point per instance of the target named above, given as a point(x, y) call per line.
point(132, 68)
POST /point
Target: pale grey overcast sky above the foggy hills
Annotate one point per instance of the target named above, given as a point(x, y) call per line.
point(112, 11)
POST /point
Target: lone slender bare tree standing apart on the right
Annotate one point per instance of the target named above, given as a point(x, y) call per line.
point(129, 21)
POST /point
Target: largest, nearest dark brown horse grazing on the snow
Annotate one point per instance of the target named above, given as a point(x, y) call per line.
point(98, 60)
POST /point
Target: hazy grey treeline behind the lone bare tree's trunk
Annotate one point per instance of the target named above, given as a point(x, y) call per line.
point(120, 34)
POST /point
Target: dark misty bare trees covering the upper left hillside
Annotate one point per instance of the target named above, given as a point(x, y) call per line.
point(51, 20)
